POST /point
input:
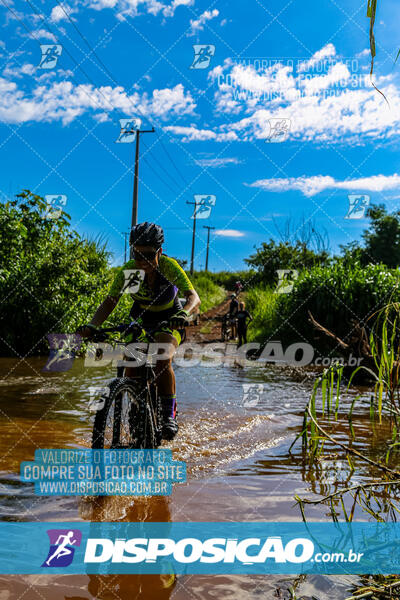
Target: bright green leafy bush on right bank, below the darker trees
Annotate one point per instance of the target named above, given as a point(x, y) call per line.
point(335, 295)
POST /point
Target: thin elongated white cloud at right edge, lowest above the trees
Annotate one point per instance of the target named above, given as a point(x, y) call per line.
point(310, 186)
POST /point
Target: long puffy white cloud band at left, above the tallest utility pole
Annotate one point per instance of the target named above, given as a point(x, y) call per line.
point(64, 101)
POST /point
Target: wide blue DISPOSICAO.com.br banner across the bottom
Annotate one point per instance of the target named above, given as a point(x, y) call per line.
point(199, 548)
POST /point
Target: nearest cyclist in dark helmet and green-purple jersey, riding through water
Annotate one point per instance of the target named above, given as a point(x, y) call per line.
point(155, 300)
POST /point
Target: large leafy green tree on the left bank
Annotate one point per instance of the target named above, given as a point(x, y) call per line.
point(51, 279)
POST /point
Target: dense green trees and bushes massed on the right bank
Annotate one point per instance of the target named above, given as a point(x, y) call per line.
point(338, 291)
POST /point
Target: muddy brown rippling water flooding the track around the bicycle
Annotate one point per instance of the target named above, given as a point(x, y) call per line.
point(238, 469)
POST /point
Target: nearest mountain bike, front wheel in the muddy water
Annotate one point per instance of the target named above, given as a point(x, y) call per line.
point(130, 415)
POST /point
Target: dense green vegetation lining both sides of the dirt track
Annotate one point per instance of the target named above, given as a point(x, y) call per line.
point(52, 279)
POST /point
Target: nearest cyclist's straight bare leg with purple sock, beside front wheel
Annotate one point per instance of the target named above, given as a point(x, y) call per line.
point(166, 382)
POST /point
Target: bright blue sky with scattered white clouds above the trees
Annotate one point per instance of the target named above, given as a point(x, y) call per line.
point(303, 64)
